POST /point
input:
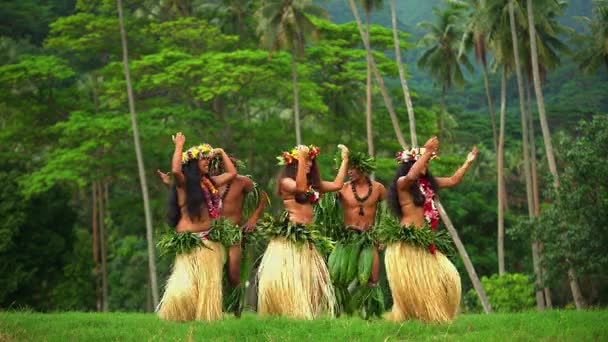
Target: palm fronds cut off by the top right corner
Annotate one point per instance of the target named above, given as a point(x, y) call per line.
point(595, 46)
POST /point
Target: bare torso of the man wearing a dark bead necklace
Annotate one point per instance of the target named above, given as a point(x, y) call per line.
point(353, 208)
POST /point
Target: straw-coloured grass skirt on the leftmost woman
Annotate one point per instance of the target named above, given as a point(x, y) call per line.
point(194, 289)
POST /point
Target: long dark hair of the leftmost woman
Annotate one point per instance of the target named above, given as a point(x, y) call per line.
point(195, 197)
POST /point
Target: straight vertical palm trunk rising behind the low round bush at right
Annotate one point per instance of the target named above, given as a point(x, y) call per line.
point(500, 167)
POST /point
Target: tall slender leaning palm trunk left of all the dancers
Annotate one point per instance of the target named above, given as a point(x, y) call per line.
point(140, 160)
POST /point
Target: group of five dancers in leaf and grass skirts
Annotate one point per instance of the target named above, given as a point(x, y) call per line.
point(295, 278)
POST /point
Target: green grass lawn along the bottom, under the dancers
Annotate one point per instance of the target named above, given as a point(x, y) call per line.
point(530, 326)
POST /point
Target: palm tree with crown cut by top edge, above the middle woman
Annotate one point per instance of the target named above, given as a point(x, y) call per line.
point(285, 24)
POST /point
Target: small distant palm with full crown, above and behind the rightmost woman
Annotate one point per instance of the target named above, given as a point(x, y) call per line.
point(441, 58)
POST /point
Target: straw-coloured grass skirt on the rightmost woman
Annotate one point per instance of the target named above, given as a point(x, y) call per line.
point(423, 286)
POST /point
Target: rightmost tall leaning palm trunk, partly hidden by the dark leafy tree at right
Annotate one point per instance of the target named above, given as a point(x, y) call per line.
point(574, 287)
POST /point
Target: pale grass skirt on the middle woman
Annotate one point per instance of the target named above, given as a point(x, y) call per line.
point(294, 281)
